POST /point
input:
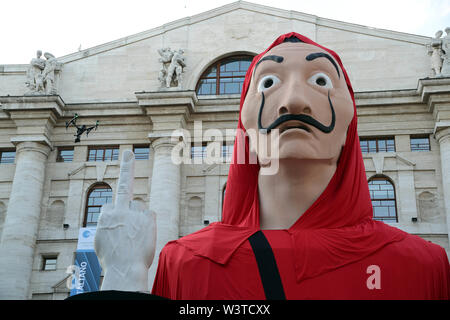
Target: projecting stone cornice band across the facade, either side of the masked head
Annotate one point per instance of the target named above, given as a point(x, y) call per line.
point(430, 91)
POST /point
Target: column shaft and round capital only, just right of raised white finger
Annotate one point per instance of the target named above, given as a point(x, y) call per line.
point(164, 196)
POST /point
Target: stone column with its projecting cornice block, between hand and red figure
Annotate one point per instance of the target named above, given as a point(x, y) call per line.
point(168, 111)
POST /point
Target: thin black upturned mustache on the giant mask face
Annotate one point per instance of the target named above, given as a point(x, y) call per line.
point(300, 117)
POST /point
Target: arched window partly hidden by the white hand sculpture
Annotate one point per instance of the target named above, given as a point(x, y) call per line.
point(97, 196)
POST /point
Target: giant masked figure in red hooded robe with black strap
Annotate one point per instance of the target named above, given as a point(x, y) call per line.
point(334, 250)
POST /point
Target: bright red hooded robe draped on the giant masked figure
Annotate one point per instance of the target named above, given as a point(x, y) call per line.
point(329, 253)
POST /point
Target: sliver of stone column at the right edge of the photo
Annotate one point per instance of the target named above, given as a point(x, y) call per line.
point(443, 137)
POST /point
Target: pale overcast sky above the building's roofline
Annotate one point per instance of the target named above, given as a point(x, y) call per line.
point(60, 27)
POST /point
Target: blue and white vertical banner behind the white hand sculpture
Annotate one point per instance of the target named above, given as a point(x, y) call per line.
point(87, 269)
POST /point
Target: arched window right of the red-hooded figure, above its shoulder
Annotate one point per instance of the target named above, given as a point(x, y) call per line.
point(382, 193)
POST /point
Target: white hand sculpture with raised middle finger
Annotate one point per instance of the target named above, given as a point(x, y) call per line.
point(126, 236)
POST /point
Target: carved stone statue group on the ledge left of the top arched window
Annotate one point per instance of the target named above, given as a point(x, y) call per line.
point(171, 71)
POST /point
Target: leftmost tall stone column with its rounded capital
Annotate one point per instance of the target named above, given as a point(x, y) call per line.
point(22, 220)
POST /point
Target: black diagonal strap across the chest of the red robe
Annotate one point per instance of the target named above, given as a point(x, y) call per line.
point(268, 270)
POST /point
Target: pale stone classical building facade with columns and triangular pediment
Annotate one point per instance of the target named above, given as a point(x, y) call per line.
point(47, 179)
